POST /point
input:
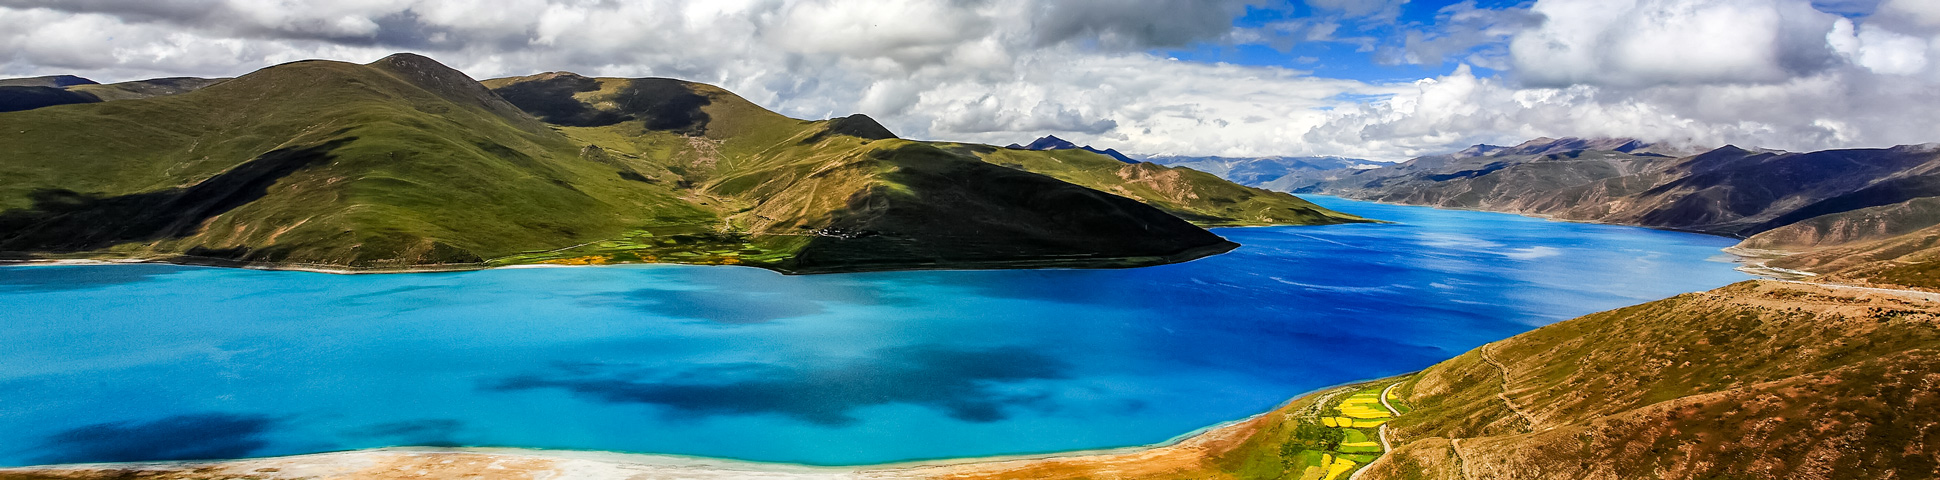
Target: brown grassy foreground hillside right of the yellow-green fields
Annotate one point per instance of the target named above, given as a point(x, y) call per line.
point(1759, 380)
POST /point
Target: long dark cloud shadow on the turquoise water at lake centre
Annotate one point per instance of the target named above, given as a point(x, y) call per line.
point(973, 386)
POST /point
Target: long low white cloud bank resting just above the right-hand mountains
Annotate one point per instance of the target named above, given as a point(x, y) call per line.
point(1830, 110)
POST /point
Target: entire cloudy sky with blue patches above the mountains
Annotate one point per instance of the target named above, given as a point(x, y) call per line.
point(1365, 79)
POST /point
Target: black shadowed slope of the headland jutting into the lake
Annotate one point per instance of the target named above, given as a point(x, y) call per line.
point(957, 211)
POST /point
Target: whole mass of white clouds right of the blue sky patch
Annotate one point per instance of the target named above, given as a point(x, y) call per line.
point(1702, 73)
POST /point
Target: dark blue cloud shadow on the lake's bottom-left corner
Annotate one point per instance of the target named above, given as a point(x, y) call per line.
point(178, 438)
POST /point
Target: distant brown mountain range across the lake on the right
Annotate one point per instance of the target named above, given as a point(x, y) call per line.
point(1861, 217)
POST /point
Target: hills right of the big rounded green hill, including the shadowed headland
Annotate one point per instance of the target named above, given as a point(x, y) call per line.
point(849, 195)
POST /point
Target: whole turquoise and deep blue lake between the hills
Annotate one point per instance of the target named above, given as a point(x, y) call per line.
point(174, 362)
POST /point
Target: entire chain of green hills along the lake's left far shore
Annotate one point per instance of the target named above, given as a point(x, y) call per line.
point(406, 164)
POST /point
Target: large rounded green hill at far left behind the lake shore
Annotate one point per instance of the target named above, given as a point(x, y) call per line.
point(395, 164)
